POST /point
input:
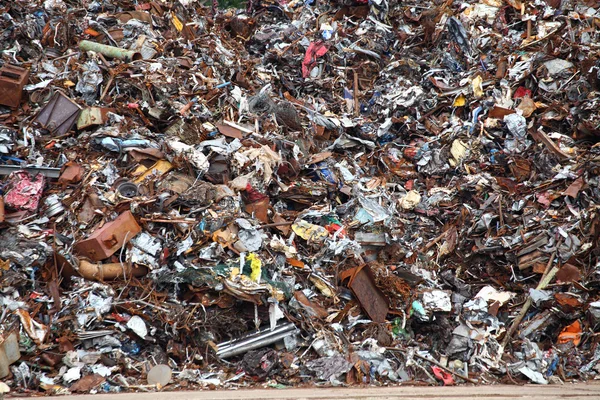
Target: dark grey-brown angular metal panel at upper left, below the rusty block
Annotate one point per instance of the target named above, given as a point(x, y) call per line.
point(59, 115)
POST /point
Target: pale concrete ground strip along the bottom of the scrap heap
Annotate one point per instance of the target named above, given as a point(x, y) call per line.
point(572, 392)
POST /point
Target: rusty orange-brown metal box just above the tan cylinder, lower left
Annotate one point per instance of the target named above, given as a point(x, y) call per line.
point(104, 242)
